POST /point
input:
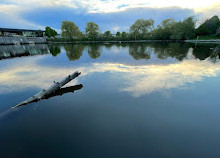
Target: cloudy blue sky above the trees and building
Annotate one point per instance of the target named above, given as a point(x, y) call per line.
point(113, 15)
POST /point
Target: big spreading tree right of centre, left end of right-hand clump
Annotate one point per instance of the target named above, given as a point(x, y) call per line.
point(141, 27)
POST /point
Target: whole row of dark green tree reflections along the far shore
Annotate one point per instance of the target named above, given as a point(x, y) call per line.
point(162, 50)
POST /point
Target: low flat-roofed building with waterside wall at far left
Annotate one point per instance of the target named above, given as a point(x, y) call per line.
point(21, 36)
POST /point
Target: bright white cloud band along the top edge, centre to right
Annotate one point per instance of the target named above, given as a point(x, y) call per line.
point(99, 6)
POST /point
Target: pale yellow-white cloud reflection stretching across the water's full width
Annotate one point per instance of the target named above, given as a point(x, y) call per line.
point(137, 80)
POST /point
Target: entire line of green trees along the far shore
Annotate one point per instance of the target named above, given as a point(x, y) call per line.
point(142, 29)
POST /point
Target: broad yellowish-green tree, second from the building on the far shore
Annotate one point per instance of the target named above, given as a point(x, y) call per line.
point(70, 30)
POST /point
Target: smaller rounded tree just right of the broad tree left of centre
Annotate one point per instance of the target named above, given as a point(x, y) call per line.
point(92, 30)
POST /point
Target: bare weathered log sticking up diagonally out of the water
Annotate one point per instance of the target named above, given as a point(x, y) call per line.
point(56, 86)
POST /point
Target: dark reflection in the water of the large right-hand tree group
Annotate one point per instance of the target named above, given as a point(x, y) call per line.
point(178, 50)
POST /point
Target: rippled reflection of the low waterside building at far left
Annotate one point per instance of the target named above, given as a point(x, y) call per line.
point(11, 51)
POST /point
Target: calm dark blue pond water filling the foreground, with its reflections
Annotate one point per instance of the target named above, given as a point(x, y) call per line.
point(131, 100)
